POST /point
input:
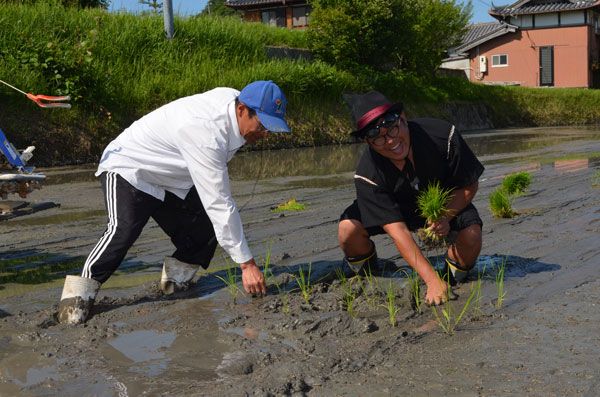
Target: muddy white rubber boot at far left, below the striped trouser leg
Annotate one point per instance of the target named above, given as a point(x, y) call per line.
point(77, 299)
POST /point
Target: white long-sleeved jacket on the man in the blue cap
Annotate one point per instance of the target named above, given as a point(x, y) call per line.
point(184, 143)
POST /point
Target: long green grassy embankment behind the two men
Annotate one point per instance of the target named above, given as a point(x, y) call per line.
point(117, 67)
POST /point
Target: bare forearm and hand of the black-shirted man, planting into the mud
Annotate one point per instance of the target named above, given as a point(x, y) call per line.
point(436, 288)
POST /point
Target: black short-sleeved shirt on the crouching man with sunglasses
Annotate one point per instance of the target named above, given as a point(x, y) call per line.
point(385, 194)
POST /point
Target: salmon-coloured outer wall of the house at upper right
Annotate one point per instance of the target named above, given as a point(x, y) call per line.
point(571, 57)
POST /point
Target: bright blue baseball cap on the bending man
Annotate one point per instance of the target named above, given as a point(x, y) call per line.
point(269, 103)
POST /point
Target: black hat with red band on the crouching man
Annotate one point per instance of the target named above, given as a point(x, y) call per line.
point(367, 108)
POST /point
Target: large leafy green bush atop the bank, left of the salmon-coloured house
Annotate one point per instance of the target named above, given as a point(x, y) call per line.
point(386, 34)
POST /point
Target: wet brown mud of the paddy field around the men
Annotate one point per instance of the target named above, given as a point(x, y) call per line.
point(543, 340)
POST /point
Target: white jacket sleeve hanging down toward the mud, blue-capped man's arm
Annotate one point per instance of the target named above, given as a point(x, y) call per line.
point(208, 169)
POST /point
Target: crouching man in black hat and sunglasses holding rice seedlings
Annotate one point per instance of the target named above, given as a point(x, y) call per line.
point(402, 158)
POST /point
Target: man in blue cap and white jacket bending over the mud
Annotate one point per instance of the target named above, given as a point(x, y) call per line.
point(171, 165)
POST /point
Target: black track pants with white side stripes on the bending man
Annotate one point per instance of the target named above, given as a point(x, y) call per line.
point(129, 209)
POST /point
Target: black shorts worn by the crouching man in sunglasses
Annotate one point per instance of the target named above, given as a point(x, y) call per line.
point(467, 217)
